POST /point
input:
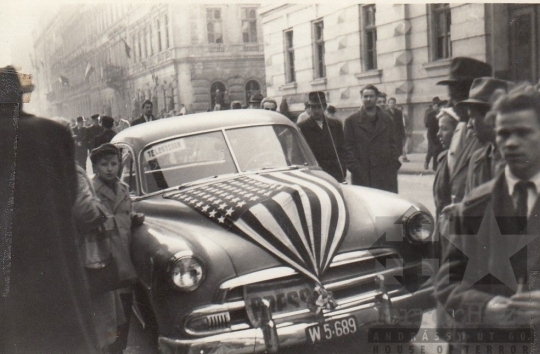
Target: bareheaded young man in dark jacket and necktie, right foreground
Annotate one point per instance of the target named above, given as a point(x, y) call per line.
point(488, 276)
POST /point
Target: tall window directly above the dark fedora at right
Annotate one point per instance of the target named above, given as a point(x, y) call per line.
point(441, 21)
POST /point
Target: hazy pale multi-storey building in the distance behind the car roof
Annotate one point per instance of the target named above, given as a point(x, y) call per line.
point(109, 58)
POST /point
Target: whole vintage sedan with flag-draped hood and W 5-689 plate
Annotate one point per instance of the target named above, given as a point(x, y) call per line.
point(248, 246)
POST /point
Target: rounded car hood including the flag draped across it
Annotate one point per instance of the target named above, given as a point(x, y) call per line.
point(250, 242)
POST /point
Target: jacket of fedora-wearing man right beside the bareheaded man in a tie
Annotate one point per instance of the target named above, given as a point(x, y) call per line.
point(481, 167)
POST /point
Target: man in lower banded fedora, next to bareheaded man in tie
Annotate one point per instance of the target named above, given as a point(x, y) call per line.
point(486, 162)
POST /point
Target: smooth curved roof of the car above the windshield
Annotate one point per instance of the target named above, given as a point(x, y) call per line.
point(142, 134)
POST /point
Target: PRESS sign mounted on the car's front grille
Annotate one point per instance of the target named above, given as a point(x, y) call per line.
point(284, 297)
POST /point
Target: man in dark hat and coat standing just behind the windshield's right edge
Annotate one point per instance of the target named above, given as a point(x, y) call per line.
point(324, 136)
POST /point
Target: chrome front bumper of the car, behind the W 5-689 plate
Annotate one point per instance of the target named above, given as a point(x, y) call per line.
point(367, 309)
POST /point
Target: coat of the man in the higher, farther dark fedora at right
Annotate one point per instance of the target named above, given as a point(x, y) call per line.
point(458, 178)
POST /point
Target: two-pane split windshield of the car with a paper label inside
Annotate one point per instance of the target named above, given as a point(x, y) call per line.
point(187, 159)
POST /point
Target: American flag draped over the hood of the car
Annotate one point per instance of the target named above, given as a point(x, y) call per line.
point(295, 215)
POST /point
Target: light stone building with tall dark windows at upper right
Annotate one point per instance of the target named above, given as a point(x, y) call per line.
point(403, 49)
